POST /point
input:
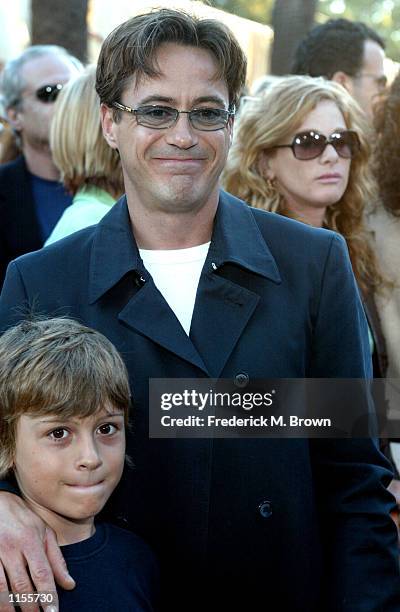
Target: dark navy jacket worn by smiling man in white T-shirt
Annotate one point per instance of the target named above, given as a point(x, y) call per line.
point(297, 525)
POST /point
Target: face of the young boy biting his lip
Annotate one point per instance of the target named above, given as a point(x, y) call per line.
point(70, 467)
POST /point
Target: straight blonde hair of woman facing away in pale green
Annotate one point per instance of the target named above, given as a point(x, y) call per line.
point(79, 150)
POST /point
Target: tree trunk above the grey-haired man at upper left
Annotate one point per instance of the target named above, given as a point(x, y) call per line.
point(61, 22)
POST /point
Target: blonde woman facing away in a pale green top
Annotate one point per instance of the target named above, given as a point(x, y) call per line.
point(89, 168)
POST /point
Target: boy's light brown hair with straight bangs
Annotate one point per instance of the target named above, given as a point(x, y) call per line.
point(56, 366)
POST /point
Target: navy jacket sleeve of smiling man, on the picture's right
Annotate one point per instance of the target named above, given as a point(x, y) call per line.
point(351, 475)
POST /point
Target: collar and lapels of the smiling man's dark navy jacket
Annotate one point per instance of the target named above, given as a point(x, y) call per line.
point(224, 304)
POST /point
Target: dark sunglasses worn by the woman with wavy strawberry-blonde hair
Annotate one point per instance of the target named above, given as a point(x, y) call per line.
point(310, 145)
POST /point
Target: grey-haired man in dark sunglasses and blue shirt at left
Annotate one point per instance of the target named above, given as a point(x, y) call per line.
point(31, 197)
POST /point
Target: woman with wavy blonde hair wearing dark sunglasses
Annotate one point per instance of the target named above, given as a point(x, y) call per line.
point(302, 150)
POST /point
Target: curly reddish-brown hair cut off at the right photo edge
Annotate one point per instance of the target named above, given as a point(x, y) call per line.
point(387, 148)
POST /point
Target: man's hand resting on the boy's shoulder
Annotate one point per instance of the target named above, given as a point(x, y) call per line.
point(30, 558)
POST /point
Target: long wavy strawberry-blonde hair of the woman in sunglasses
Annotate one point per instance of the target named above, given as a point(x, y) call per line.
point(273, 119)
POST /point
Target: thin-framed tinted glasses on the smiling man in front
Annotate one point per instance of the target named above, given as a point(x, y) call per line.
point(164, 117)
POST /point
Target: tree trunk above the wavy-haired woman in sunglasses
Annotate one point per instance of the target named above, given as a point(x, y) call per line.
point(291, 20)
